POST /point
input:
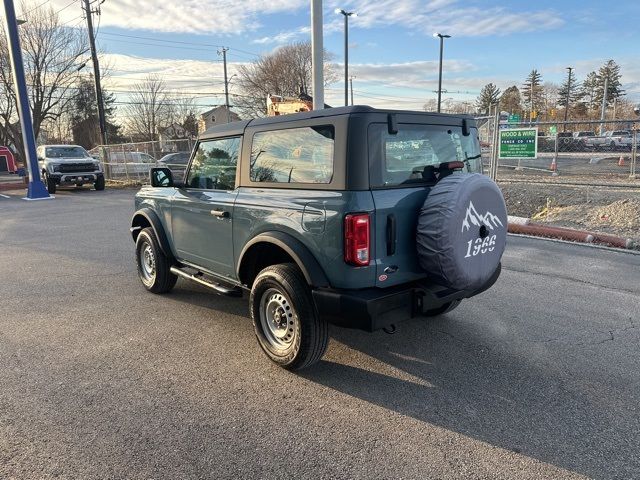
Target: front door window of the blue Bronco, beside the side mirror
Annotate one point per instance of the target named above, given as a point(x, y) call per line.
point(214, 164)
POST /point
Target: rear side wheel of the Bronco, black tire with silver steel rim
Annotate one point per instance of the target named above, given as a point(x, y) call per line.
point(284, 286)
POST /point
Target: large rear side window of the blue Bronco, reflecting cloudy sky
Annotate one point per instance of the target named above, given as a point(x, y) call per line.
point(295, 155)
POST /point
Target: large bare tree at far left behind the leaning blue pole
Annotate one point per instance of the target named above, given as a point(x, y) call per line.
point(52, 55)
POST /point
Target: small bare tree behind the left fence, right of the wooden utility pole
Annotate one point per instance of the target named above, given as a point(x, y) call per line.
point(149, 108)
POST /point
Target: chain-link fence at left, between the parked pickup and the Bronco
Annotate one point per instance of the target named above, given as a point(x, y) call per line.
point(131, 162)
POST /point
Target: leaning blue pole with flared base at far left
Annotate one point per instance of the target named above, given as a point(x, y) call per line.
point(36, 189)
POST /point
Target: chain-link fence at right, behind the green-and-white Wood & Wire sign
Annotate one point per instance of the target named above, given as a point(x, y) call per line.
point(588, 152)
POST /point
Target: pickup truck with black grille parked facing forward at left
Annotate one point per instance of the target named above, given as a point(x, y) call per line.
point(62, 165)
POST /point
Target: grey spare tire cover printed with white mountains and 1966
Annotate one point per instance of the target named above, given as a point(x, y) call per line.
point(462, 231)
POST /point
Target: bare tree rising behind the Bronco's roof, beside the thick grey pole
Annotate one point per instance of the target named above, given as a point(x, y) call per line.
point(285, 72)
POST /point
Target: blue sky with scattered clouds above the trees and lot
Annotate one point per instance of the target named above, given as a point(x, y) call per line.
point(392, 52)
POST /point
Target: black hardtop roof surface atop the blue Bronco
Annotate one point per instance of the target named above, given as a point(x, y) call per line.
point(237, 128)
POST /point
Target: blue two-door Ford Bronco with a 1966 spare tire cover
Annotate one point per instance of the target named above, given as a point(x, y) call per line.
point(354, 216)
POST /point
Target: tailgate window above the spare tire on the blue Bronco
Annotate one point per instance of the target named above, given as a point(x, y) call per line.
point(409, 156)
